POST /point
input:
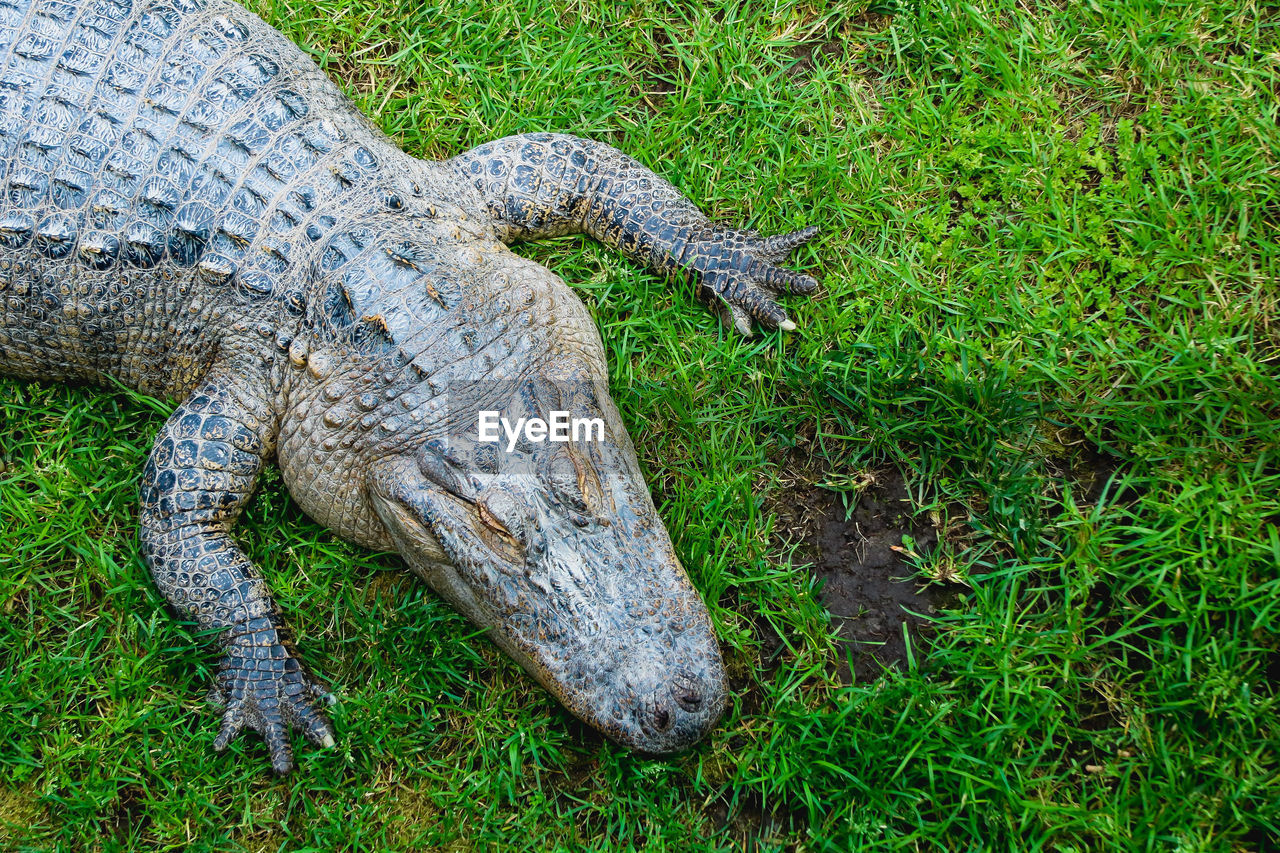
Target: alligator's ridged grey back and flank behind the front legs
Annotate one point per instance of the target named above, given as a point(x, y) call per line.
point(171, 171)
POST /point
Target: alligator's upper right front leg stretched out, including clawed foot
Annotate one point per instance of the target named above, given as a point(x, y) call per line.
point(547, 185)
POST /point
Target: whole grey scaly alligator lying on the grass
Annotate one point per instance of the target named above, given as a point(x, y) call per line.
point(191, 208)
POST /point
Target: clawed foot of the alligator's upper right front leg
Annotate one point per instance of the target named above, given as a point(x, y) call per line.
point(740, 276)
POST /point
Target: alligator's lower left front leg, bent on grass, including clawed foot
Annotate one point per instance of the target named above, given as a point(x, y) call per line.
point(202, 472)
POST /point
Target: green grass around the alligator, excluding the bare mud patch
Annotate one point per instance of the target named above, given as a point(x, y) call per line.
point(1050, 262)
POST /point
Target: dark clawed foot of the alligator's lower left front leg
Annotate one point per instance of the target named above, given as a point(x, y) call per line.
point(264, 687)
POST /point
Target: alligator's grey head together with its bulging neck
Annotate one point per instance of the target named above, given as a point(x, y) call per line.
point(554, 548)
